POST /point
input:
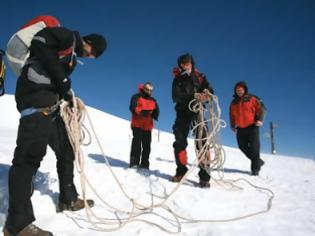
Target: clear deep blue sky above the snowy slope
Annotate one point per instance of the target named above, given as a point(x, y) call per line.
point(267, 43)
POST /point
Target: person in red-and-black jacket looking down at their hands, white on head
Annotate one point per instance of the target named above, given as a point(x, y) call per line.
point(144, 109)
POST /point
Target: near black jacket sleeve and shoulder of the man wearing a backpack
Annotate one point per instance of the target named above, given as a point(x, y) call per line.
point(45, 47)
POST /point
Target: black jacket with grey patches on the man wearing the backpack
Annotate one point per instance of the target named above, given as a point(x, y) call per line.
point(45, 76)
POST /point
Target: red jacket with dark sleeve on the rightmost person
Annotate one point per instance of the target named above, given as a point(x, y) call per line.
point(245, 111)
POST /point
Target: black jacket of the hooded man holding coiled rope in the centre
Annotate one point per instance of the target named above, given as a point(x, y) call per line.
point(185, 86)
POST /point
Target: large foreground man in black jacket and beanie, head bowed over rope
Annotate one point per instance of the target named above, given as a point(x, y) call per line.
point(44, 81)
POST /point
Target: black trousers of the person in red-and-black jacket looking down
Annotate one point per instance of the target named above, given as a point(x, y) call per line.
point(140, 148)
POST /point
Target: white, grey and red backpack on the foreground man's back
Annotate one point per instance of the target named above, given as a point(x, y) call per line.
point(18, 46)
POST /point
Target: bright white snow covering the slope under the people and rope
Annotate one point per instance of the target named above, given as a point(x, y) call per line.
point(291, 180)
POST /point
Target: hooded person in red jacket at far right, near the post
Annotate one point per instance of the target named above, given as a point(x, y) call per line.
point(246, 116)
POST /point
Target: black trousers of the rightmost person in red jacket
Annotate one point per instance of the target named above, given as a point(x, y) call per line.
point(248, 142)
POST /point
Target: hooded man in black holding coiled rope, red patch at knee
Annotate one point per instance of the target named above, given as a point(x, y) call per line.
point(188, 84)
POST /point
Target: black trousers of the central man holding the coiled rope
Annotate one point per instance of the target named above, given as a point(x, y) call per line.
point(181, 130)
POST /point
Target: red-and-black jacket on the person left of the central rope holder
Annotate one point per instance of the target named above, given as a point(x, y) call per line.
point(144, 109)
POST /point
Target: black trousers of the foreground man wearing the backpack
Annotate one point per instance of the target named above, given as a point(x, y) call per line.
point(35, 132)
